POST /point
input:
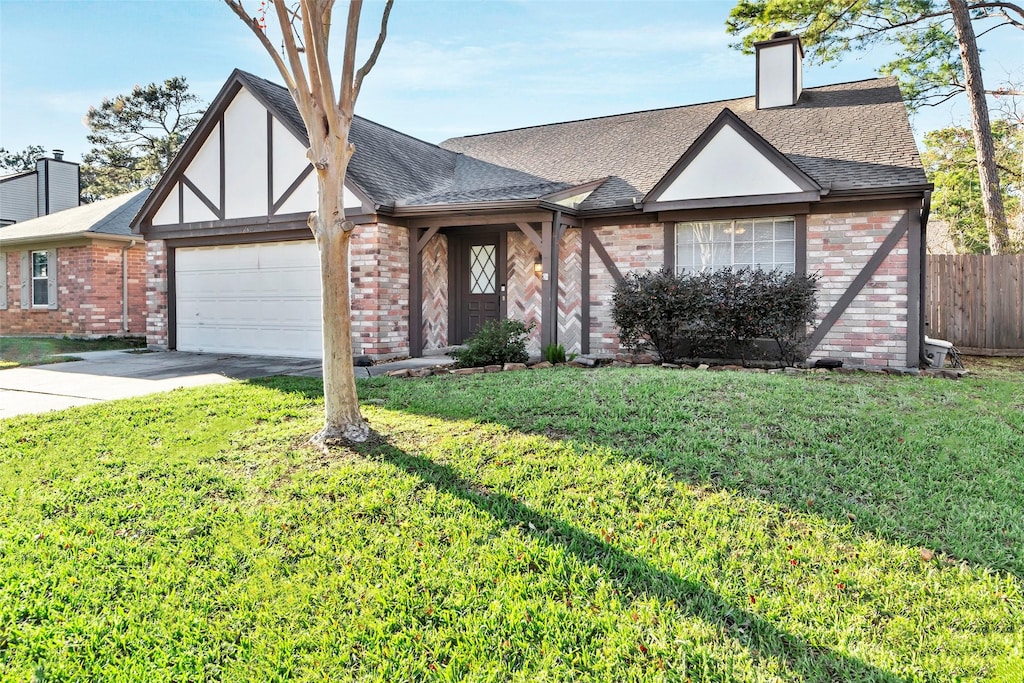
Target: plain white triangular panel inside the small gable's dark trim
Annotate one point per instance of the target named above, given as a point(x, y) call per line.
point(729, 166)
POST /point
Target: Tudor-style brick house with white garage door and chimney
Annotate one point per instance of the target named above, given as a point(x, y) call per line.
point(539, 224)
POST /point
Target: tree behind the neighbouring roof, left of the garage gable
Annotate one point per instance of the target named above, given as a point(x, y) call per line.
point(136, 137)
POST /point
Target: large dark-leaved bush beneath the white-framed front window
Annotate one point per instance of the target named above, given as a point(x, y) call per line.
point(715, 314)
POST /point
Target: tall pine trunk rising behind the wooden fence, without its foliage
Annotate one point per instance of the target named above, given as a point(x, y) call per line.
point(996, 215)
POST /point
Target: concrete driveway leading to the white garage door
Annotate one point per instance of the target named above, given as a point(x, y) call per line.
point(109, 375)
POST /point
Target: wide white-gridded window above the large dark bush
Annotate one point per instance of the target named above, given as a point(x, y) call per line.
point(760, 243)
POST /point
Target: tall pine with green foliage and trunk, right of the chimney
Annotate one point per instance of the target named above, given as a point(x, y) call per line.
point(928, 35)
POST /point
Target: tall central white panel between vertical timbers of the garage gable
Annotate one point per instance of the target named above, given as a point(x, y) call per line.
point(245, 158)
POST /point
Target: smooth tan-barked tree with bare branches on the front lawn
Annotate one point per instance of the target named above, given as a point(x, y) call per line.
point(327, 112)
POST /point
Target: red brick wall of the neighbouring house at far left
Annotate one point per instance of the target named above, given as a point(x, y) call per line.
point(90, 294)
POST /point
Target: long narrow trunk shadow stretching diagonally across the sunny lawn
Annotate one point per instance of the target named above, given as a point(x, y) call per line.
point(636, 578)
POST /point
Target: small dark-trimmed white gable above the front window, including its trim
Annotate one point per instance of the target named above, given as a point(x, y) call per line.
point(731, 161)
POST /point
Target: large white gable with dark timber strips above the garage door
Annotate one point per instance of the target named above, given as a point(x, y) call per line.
point(242, 162)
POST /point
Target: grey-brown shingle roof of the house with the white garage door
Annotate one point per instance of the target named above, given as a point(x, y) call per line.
point(846, 137)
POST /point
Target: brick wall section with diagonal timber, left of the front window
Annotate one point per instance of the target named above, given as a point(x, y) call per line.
point(632, 248)
